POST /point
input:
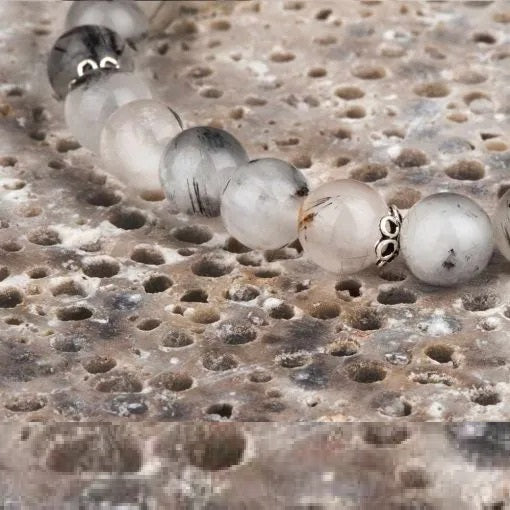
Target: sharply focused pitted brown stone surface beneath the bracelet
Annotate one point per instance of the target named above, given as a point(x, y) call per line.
point(114, 309)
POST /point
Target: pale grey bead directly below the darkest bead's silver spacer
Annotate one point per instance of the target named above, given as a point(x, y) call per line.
point(94, 97)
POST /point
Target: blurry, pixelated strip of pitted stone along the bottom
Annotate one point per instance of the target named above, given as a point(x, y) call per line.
point(254, 466)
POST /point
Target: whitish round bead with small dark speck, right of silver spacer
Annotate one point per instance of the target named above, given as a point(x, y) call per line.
point(446, 239)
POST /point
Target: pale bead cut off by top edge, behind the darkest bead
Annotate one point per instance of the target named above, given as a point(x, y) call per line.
point(122, 16)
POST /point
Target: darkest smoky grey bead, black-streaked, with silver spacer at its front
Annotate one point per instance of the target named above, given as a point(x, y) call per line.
point(86, 47)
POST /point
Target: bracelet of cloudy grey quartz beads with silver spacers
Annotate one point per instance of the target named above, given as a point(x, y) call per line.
point(344, 226)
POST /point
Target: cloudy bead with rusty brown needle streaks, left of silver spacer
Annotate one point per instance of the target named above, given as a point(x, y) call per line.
point(339, 225)
